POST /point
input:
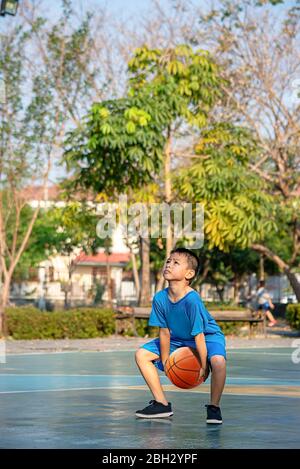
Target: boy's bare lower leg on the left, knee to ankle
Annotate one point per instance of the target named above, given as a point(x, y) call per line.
point(144, 359)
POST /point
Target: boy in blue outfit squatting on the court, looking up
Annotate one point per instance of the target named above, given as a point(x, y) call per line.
point(183, 321)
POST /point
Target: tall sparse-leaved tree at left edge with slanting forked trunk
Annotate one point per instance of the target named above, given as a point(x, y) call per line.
point(52, 63)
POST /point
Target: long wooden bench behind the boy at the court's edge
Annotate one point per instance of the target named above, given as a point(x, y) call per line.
point(246, 315)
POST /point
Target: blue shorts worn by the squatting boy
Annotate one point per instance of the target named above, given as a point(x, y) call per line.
point(213, 347)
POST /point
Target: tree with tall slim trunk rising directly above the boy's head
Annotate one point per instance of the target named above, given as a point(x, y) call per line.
point(186, 84)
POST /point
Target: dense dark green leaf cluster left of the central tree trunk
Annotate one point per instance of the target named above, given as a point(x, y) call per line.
point(120, 147)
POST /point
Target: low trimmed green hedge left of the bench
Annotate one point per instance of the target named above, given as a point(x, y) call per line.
point(78, 323)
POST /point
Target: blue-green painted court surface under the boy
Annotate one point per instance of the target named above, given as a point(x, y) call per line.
point(88, 400)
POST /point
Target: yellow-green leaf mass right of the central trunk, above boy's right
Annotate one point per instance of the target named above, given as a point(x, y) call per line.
point(238, 209)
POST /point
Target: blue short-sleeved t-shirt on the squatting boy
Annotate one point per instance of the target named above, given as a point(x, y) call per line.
point(185, 318)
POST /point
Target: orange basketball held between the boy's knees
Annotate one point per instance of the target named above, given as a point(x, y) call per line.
point(183, 368)
